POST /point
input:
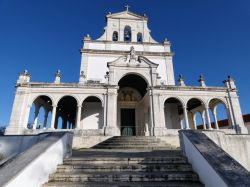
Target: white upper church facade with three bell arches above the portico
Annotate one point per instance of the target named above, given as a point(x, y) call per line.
point(123, 31)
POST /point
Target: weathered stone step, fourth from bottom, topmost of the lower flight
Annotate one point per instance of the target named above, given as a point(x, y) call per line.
point(119, 160)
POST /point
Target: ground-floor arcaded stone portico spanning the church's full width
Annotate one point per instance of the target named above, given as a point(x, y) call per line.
point(131, 108)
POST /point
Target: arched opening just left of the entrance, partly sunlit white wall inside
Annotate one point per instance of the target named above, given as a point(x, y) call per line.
point(92, 116)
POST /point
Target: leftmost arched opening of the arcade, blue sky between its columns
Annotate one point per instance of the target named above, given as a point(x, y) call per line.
point(39, 115)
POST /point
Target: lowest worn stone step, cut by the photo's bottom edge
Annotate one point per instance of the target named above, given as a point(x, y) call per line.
point(125, 184)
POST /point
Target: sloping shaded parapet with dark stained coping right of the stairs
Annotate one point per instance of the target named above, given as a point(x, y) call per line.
point(213, 165)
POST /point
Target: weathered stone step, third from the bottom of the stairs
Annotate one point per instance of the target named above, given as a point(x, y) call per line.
point(124, 167)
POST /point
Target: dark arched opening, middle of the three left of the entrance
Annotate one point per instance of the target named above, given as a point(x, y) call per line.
point(66, 113)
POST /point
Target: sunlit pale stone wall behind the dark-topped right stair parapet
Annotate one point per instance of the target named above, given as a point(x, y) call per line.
point(236, 145)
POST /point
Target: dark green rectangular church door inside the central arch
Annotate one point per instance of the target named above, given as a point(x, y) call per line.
point(128, 122)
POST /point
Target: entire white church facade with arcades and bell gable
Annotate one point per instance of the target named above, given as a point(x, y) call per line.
point(126, 87)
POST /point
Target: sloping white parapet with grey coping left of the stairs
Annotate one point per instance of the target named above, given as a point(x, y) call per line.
point(33, 166)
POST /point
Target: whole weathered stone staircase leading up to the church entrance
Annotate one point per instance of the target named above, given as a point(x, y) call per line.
point(126, 161)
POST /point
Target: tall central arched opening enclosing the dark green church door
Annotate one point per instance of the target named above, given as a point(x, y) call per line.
point(133, 106)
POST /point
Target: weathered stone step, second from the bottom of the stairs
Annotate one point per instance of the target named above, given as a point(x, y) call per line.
point(124, 177)
